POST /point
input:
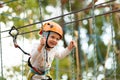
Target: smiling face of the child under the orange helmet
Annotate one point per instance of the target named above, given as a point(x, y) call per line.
point(53, 39)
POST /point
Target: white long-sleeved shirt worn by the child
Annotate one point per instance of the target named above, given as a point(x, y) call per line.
point(38, 60)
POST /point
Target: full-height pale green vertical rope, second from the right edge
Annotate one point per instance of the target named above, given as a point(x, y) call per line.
point(94, 40)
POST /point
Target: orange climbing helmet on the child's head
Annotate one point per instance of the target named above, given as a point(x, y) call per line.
point(52, 26)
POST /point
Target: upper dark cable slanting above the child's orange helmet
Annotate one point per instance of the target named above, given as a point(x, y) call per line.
point(60, 16)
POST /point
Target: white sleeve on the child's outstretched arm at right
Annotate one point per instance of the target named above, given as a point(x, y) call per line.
point(62, 52)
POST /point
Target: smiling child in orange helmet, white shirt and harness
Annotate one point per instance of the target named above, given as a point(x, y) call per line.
point(44, 53)
